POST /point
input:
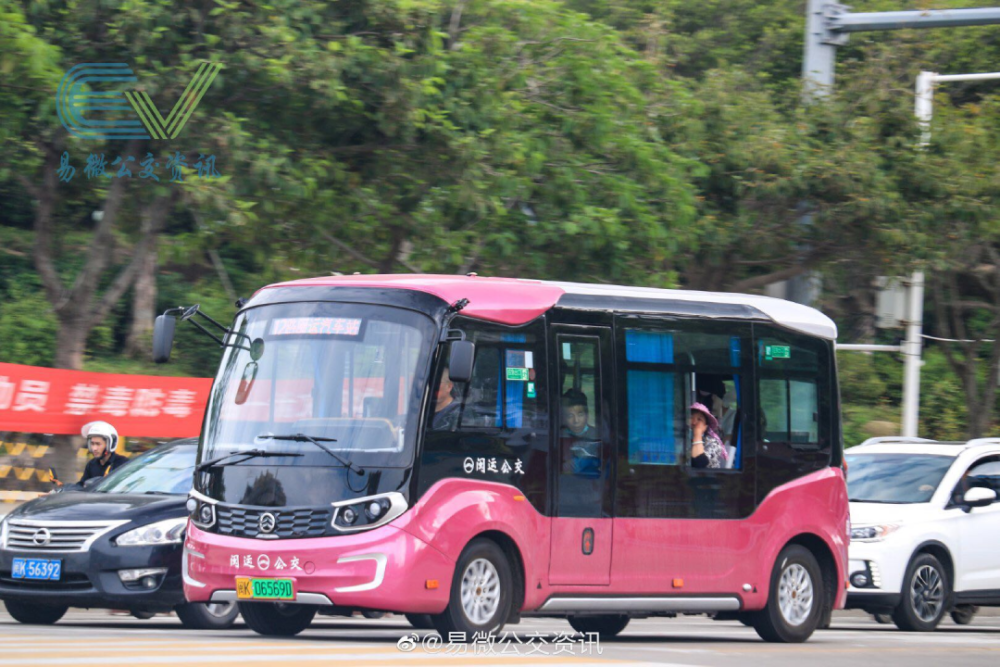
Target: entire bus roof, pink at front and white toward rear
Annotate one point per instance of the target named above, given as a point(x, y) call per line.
point(516, 301)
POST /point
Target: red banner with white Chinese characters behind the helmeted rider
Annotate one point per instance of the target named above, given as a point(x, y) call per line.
point(49, 400)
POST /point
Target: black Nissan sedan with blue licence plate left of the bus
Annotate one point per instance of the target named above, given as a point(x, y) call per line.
point(115, 544)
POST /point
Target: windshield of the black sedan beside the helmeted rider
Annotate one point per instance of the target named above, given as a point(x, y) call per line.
point(161, 470)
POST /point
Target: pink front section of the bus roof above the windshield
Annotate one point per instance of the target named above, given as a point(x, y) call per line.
point(505, 300)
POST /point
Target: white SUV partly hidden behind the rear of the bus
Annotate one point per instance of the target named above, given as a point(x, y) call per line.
point(925, 529)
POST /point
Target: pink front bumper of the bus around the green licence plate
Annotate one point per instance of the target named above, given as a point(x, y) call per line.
point(386, 569)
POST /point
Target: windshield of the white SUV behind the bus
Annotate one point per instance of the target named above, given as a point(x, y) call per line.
point(895, 478)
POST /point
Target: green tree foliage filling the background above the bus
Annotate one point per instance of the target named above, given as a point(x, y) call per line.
point(653, 143)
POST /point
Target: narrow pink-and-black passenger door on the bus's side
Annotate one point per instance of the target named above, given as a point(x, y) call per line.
point(582, 460)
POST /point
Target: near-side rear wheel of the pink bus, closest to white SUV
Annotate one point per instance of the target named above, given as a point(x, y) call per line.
point(795, 603)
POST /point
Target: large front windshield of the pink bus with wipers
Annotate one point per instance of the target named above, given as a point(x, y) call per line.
point(350, 376)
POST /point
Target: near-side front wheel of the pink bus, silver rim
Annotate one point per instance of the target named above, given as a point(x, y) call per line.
point(481, 593)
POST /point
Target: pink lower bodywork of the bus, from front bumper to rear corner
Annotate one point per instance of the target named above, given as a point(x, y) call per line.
point(711, 556)
